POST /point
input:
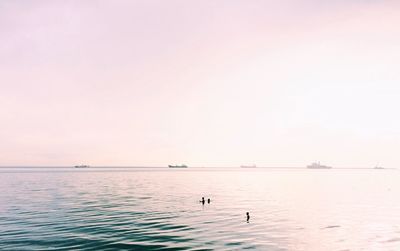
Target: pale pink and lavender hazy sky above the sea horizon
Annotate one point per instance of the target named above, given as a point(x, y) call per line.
point(202, 83)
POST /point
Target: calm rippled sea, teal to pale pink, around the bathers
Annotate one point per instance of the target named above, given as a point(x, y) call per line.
point(159, 209)
